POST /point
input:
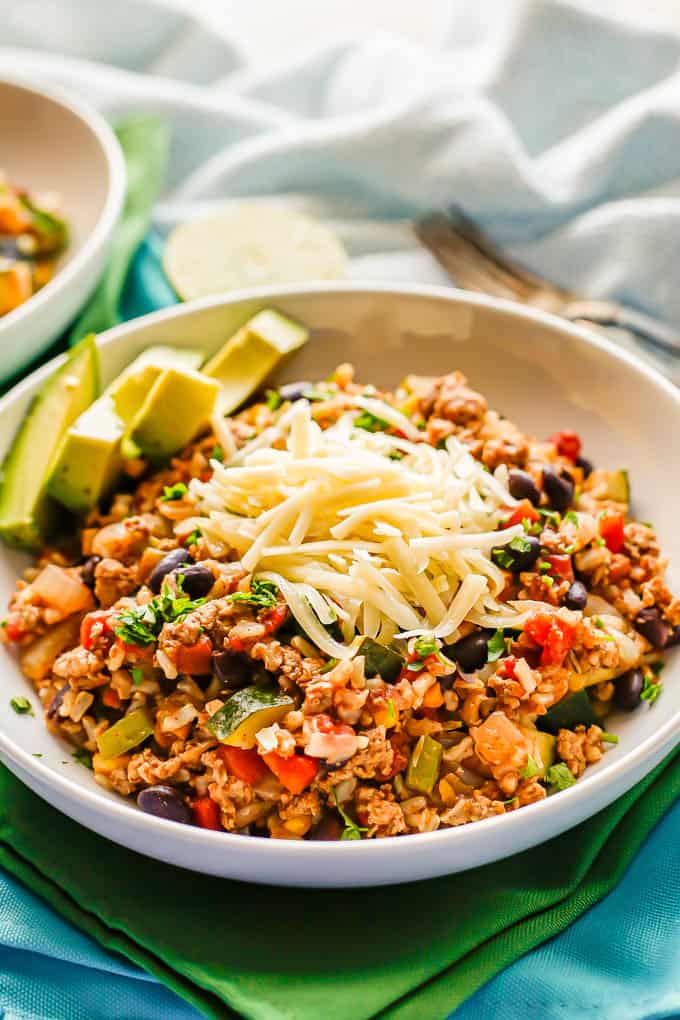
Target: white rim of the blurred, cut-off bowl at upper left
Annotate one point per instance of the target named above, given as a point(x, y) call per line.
point(111, 212)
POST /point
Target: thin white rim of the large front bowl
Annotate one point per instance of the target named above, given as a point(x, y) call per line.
point(295, 851)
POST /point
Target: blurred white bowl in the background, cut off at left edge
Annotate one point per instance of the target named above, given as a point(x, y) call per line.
point(51, 142)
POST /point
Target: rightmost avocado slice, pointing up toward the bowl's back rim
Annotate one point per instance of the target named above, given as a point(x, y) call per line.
point(252, 354)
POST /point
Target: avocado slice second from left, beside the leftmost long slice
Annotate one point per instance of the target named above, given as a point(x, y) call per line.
point(90, 460)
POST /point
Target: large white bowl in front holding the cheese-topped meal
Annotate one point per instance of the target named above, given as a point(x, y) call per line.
point(542, 373)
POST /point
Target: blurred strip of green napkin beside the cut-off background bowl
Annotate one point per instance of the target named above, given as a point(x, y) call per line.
point(144, 140)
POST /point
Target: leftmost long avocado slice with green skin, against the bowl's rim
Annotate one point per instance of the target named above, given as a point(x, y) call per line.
point(27, 514)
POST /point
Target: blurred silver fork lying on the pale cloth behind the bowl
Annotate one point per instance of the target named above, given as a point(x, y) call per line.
point(476, 264)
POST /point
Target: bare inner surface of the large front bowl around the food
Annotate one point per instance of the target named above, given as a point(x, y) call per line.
point(538, 372)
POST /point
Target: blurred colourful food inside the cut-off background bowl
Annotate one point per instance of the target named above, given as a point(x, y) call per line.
point(33, 236)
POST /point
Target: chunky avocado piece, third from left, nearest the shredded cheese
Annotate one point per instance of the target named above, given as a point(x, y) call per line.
point(178, 406)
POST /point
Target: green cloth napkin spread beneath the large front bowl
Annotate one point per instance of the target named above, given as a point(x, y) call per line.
point(402, 953)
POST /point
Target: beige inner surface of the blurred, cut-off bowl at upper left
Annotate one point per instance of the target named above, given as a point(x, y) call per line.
point(47, 147)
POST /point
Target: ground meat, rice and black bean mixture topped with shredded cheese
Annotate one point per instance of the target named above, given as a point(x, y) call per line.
point(341, 614)
